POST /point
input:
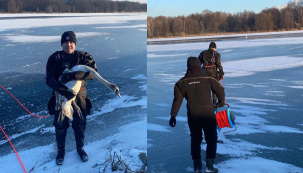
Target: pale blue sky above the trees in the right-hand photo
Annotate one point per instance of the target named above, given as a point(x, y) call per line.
point(186, 7)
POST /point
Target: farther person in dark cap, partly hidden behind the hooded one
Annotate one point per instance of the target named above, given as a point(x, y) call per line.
point(211, 62)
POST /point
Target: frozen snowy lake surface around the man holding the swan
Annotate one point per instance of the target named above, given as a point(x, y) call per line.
point(118, 44)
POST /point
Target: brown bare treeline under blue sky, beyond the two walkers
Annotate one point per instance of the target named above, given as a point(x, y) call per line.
point(208, 22)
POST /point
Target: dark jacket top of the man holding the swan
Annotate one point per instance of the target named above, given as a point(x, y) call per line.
point(58, 62)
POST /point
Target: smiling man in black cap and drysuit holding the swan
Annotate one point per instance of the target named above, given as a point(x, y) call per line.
point(57, 63)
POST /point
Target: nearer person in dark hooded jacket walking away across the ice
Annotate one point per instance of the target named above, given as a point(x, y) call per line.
point(196, 87)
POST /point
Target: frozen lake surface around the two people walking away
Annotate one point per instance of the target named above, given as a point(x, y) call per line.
point(263, 85)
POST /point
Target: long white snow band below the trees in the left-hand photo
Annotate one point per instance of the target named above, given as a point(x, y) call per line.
point(66, 20)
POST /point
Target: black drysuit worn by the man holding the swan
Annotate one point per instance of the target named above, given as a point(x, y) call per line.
point(56, 64)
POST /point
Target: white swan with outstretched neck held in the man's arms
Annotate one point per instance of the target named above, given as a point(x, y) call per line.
point(74, 87)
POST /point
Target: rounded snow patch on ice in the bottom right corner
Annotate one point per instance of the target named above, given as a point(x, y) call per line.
point(257, 164)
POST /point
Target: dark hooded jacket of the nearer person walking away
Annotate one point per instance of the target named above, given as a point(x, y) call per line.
point(196, 87)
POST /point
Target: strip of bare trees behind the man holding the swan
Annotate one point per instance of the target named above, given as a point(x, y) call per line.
point(70, 6)
